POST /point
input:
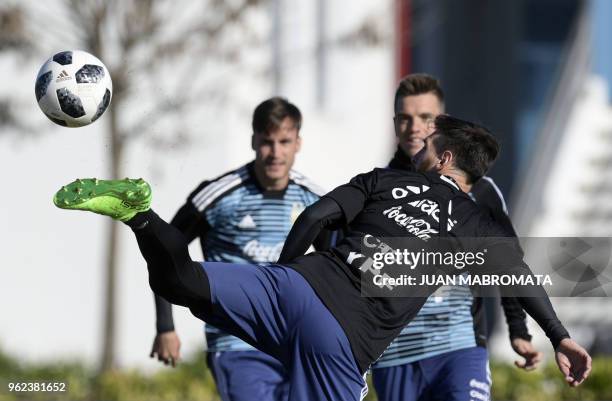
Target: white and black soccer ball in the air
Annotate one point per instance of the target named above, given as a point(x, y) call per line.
point(73, 88)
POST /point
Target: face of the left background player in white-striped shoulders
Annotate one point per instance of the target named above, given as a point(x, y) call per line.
point(275, 151)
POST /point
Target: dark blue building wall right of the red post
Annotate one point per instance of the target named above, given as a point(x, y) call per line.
point(498, 61)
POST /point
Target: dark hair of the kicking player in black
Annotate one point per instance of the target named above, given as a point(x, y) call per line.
point(474, 147)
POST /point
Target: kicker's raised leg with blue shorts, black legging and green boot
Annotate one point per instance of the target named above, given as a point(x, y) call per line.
point(272, 307)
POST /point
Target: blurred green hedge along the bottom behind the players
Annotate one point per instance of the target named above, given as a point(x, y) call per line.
point(191, 380)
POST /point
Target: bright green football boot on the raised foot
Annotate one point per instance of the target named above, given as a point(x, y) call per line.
point(119, 199)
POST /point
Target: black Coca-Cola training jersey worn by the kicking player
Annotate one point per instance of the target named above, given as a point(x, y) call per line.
point(393, 203)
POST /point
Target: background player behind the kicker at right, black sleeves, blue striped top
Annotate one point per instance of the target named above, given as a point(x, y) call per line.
point(441, 353)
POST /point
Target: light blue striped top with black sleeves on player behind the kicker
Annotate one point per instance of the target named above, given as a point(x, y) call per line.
point(453, 318)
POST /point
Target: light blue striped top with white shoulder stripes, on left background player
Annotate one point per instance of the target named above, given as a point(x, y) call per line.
point(245, 223)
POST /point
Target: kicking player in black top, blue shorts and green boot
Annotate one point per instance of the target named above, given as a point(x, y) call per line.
point(316, 313)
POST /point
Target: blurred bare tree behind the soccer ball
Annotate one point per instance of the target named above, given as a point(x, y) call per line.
point(139, 40)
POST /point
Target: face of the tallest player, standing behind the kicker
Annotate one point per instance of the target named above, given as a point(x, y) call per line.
point(414, 116)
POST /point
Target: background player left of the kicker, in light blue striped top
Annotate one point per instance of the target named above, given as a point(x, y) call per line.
point(244, 216)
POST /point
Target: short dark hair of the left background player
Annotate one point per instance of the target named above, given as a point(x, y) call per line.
point(269, 115)
